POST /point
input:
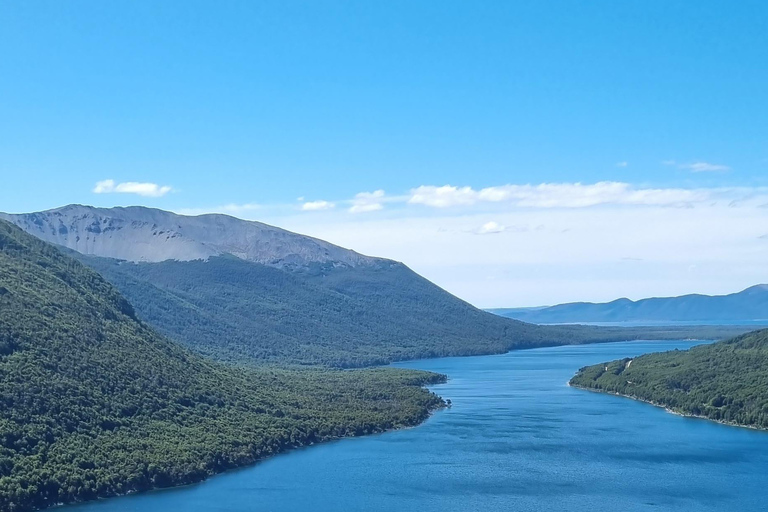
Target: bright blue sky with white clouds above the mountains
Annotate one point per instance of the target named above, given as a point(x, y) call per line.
point(244, 107)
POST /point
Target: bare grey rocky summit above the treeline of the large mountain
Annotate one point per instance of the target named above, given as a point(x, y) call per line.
point(145, 234)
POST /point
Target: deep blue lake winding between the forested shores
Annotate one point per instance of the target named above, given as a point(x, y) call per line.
point(517, 439)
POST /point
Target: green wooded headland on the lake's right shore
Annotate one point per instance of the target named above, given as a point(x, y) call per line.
point(725, 381)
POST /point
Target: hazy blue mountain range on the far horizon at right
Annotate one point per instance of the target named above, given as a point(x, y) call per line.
point(746, 306)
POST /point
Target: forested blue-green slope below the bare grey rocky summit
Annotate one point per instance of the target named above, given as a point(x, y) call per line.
point(239, 311)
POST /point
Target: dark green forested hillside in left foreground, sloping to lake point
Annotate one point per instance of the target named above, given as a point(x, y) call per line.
point(95, 403)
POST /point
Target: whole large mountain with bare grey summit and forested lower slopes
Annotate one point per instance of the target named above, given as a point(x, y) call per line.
point(303, 302)
